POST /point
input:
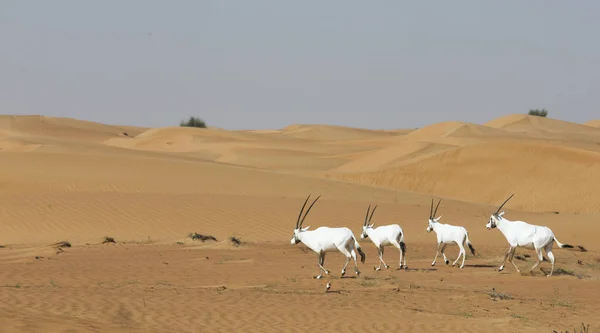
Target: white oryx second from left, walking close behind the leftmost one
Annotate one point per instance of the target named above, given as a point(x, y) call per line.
point(382, 236)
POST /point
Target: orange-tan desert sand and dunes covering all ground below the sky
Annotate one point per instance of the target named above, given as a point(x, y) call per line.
point(68, 180)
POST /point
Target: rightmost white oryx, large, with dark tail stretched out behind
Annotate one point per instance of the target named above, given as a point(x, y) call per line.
point(522, 234)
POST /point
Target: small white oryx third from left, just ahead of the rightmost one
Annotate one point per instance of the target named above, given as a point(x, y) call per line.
point(448, 234)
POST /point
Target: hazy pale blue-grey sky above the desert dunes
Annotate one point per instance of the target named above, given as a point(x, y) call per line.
point(268, 64)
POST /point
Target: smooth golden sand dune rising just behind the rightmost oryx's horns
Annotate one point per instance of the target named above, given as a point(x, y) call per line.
point(545, 178)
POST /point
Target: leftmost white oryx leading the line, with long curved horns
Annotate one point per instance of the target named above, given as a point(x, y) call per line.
point(325, 239)
